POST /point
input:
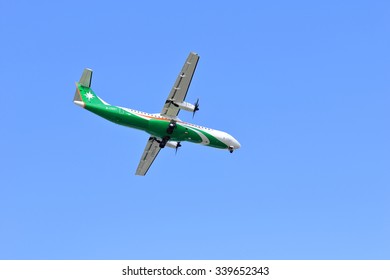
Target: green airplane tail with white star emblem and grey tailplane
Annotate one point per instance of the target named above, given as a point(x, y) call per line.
point(84, 94)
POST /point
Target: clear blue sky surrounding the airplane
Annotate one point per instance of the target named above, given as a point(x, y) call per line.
point(303, 85)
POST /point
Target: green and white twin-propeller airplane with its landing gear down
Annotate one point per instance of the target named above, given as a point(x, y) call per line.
point(165, 129)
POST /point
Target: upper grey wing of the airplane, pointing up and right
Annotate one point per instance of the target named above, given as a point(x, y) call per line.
point(179, 90)
